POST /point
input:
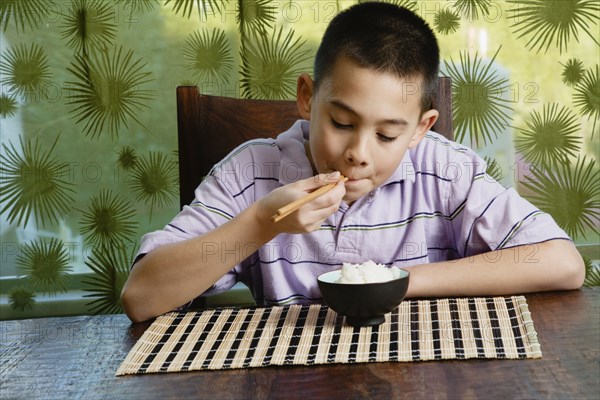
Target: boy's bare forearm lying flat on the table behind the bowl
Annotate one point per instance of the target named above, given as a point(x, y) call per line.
point(552, 265)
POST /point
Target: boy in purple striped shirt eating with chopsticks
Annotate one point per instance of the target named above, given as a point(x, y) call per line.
point(459, 233)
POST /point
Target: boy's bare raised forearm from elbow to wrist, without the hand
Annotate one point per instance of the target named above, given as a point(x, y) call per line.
point(173, 274)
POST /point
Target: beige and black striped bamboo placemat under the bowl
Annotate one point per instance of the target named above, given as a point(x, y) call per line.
point(418, 330)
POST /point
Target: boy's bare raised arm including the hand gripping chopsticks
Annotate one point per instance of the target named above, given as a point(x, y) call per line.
point(174, 274)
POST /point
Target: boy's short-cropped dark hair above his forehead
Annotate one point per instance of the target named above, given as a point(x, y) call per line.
point(384, 37)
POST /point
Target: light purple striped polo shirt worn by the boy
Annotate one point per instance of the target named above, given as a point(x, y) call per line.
point(438, 205)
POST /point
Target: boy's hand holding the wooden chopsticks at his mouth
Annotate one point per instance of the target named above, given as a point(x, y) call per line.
point(311, 215)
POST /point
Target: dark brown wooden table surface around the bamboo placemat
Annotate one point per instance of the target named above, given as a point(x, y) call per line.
point(76, 358)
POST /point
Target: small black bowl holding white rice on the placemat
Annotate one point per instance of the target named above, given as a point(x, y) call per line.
point(363, 304)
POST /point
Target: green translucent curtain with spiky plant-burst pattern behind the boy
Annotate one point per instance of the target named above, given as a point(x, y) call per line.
point(88, 157)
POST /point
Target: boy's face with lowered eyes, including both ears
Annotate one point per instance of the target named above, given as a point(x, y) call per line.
point(361, 123)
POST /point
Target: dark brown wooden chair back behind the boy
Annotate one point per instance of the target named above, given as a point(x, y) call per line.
point(209, 127)
